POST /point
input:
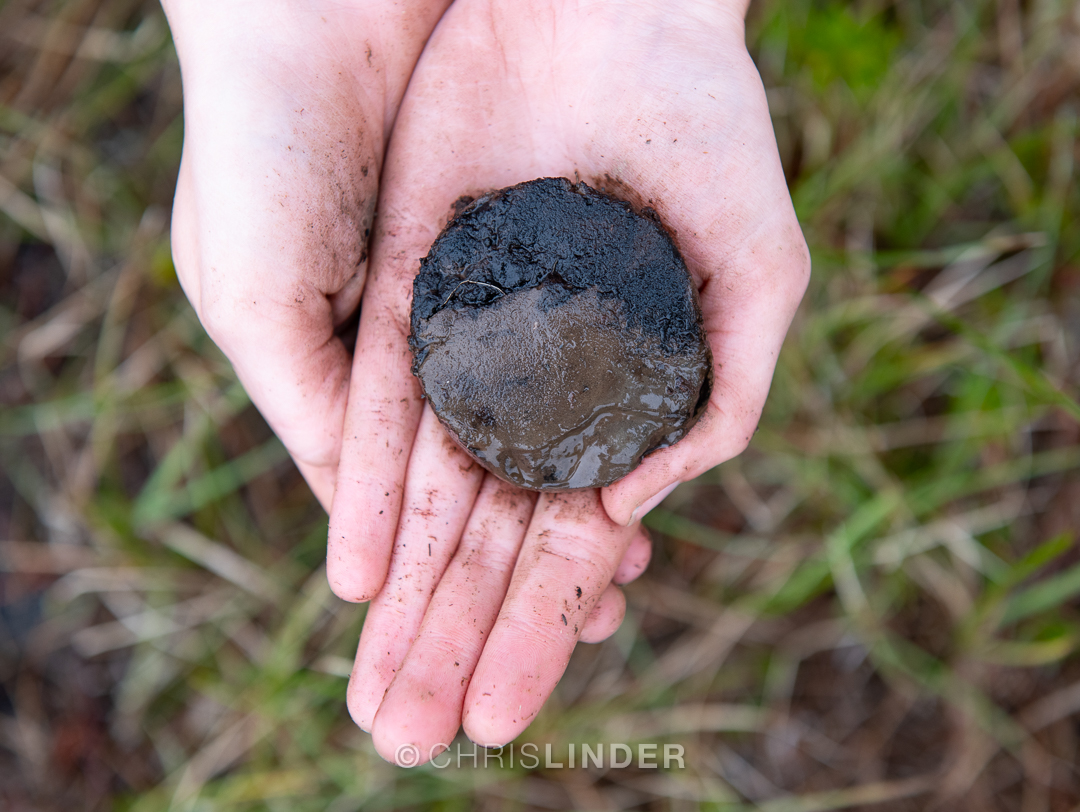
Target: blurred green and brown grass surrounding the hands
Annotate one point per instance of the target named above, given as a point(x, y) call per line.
point(875, 607)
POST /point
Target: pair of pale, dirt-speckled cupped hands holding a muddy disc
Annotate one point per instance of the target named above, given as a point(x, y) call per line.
point(298, 121)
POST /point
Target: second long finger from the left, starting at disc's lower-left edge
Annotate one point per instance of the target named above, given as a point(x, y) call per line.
point(439, 497)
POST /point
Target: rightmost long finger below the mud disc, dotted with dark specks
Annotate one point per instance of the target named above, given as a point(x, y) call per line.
point(568, 561)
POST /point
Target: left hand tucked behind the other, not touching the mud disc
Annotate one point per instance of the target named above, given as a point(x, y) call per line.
point(288, 110)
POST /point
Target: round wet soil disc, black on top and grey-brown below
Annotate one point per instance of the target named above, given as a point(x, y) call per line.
point(558, 335)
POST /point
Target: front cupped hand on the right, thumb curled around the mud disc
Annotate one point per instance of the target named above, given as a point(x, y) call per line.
point(657, 103)
